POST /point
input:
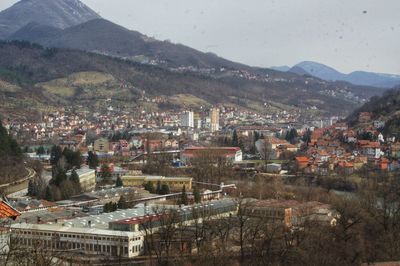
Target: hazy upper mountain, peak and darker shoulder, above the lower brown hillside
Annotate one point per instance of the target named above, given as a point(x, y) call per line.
point(71, 24)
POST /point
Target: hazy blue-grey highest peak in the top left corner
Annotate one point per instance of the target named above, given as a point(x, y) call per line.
point(55, 13)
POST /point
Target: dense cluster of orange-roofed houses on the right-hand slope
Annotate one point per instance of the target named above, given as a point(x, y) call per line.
point(345, 150)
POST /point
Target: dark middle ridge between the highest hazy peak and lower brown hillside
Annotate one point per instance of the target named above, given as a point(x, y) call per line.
point(105, 37)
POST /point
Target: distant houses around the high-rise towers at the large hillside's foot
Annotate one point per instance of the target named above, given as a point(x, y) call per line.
point(64, 126)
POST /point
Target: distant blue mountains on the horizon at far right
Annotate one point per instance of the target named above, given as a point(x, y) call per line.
point(330, 74)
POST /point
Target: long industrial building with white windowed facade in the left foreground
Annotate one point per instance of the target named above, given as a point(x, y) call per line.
point(115, 234)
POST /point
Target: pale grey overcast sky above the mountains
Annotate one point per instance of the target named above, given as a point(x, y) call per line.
point(345, 34)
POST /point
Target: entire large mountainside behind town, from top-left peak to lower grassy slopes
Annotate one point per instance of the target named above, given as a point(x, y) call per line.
point(36, 77)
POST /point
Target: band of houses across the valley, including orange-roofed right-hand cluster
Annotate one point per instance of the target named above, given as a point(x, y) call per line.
point(334, 147)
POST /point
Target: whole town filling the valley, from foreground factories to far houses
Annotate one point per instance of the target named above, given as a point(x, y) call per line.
point(102, 164)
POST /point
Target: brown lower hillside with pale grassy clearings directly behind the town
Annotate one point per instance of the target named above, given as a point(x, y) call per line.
point(34, 79)
